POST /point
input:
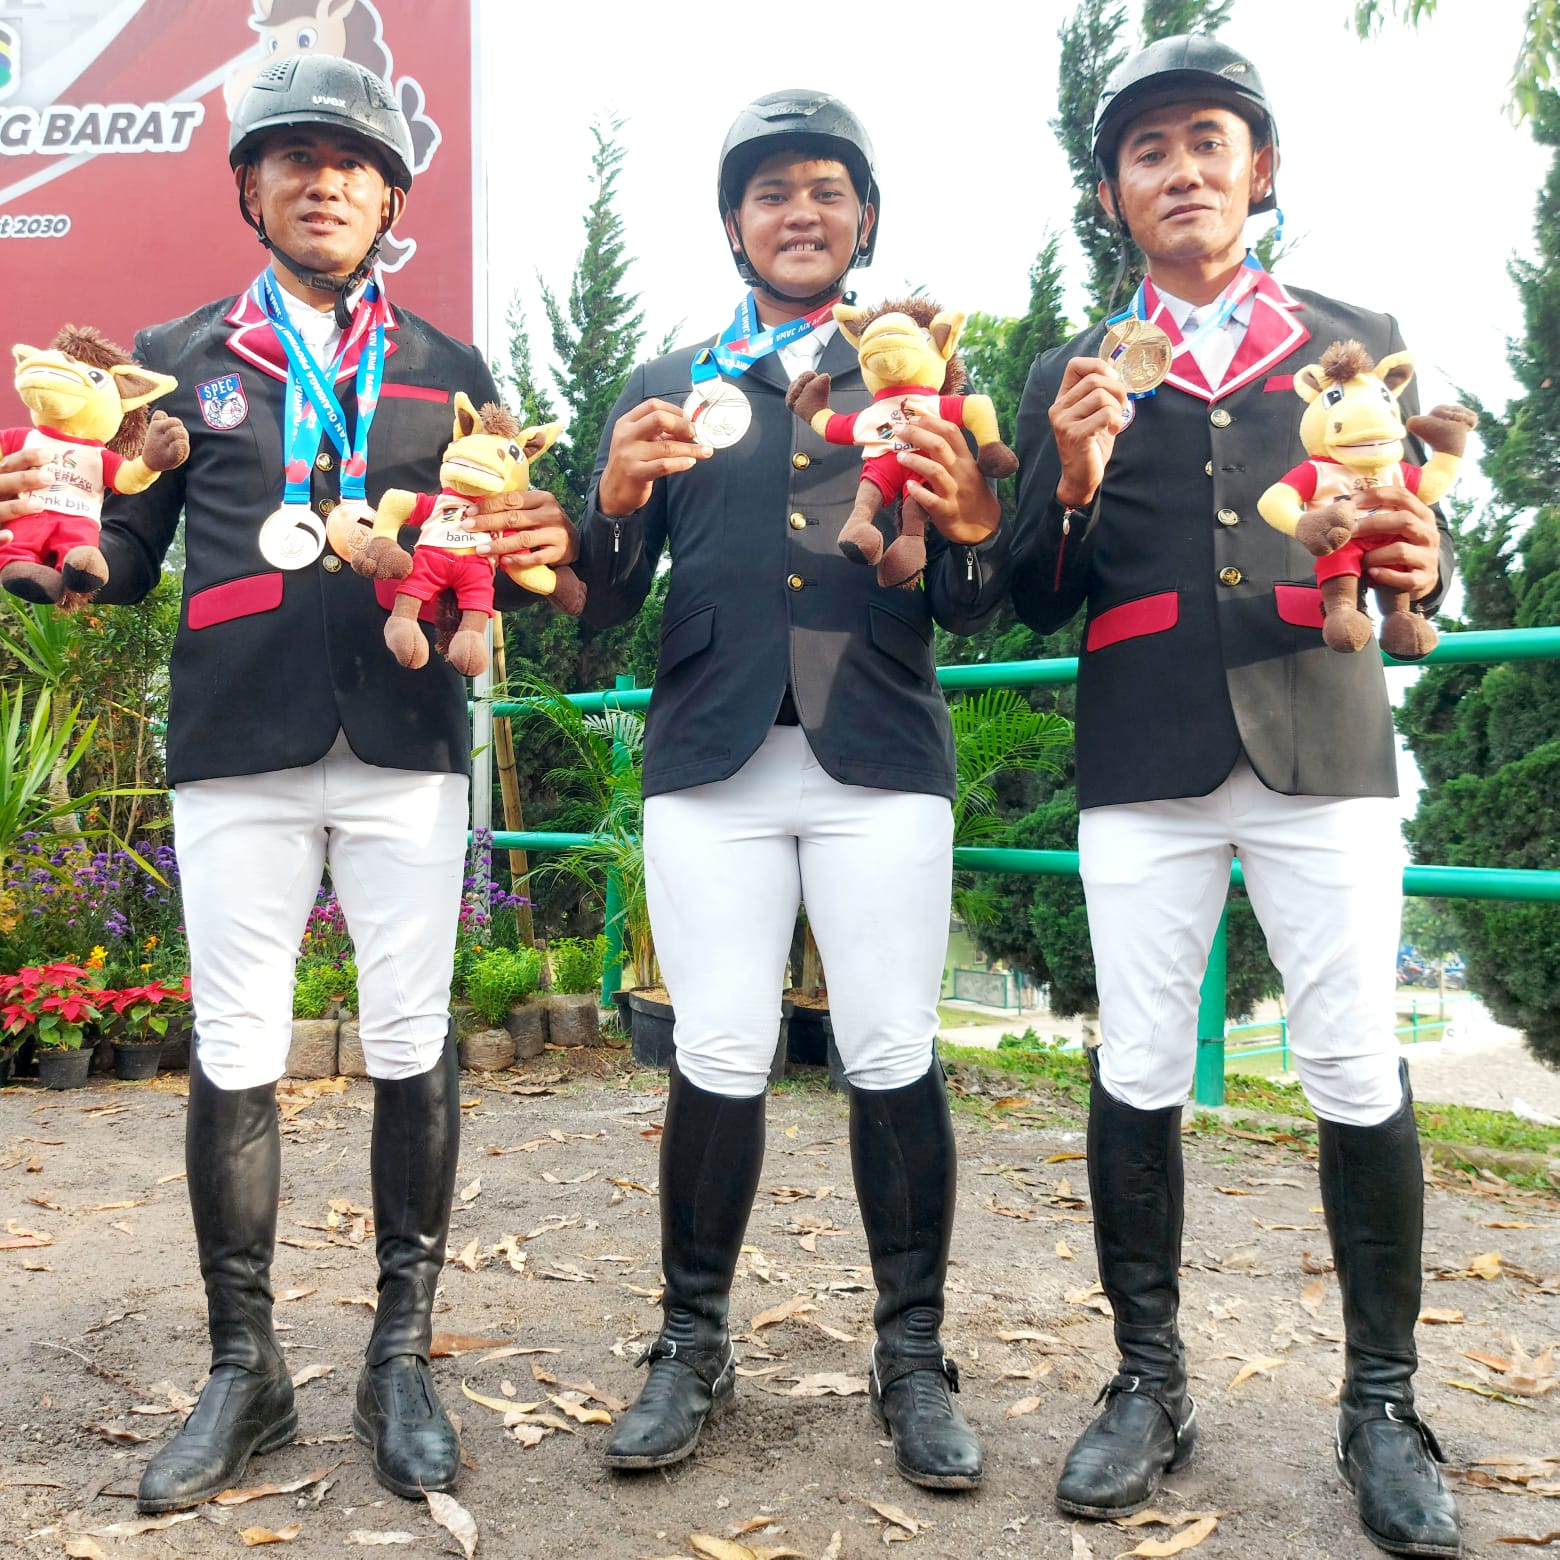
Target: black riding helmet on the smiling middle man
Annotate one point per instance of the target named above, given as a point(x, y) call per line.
point(812, 122)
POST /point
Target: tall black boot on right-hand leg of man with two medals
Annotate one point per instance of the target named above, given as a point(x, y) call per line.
point(416, 1147)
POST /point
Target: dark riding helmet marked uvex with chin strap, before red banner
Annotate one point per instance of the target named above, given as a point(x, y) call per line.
point(333, 94)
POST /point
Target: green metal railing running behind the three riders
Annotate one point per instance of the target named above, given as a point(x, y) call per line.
point(1439, 882)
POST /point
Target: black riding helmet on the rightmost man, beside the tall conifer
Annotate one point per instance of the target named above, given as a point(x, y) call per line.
point(1174, 71)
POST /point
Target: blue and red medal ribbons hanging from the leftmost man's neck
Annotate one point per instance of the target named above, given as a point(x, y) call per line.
point(313, 400)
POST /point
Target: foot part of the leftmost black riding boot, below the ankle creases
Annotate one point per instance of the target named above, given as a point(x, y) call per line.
point(236, 1417)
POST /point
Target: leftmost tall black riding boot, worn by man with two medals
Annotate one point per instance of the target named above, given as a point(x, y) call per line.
point(233, 1163)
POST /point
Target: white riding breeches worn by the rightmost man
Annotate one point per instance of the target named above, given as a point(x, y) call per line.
point(1325, 877)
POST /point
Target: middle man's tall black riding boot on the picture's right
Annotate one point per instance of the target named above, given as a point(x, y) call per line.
point(906, 1161)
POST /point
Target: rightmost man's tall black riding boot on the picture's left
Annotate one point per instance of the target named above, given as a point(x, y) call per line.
point(1149, 1427)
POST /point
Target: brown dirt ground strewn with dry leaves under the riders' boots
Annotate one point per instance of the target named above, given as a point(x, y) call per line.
point(107, 1321)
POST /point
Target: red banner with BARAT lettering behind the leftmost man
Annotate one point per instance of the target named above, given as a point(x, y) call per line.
point(118, 208)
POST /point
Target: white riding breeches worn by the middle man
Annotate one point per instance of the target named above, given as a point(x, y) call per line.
point(726, 868)
